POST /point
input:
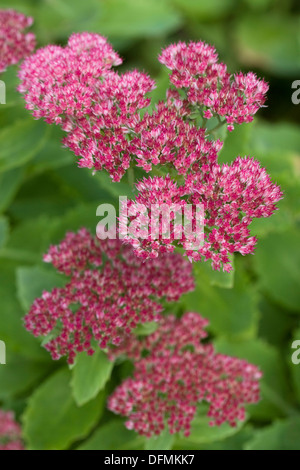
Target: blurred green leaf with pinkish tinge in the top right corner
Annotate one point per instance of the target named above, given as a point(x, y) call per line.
point(273, 47)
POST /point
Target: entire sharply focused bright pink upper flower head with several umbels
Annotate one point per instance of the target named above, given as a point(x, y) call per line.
point(99, 109)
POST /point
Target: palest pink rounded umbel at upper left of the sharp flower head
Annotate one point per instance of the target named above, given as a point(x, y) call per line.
point(63, 81)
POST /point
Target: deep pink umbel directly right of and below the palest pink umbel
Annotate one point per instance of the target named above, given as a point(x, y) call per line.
point(101, 140)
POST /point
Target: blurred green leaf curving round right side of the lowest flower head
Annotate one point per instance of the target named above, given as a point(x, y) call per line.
point(274, 383)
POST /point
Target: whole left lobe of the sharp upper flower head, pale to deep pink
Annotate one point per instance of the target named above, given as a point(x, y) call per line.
point(76, 87)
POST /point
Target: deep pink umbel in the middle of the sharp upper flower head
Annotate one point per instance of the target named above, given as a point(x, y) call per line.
point(167, 137)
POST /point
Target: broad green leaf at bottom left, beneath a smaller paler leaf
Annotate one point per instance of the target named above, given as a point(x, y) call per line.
point(52, 420)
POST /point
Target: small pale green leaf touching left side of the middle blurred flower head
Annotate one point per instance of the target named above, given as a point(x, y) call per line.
point(32, 281)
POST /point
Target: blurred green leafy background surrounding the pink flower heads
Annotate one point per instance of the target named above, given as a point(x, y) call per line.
point(254, 313)
